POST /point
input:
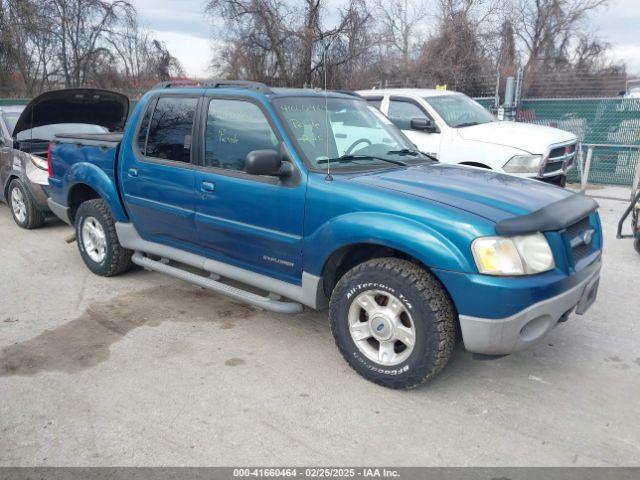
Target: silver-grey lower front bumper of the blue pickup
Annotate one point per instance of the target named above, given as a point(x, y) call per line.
point(506, 335)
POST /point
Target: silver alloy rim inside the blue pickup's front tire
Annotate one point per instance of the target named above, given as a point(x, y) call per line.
point(381, 327)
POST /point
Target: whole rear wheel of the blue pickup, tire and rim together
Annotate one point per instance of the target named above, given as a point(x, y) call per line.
point(98, 241)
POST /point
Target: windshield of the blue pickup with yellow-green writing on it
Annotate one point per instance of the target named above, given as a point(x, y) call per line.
point(355, 135)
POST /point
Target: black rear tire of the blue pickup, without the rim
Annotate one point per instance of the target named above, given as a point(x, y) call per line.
point(117, 259)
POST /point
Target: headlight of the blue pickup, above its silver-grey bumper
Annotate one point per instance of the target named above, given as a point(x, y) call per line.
point(522, 255)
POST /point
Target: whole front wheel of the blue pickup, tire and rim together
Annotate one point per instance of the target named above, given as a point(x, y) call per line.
point(392, 297)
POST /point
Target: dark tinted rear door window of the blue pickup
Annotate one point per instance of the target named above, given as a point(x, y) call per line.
point(171, 129)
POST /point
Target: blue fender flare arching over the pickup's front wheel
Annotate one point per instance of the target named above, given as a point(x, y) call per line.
point(388, 230)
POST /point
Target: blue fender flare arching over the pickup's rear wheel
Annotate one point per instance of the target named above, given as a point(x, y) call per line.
point(93, 177)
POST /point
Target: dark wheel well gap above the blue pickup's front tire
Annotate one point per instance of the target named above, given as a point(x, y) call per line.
point(345, 258)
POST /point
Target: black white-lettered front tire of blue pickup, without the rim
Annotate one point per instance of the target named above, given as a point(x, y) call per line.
point(431, 309)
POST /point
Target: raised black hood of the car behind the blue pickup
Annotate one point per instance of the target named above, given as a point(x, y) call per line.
point(75, 105)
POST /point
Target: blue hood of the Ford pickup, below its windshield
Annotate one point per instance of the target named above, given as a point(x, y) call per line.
point(492, 195)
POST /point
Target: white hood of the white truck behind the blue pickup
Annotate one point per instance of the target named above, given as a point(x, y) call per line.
point(531, 138)
